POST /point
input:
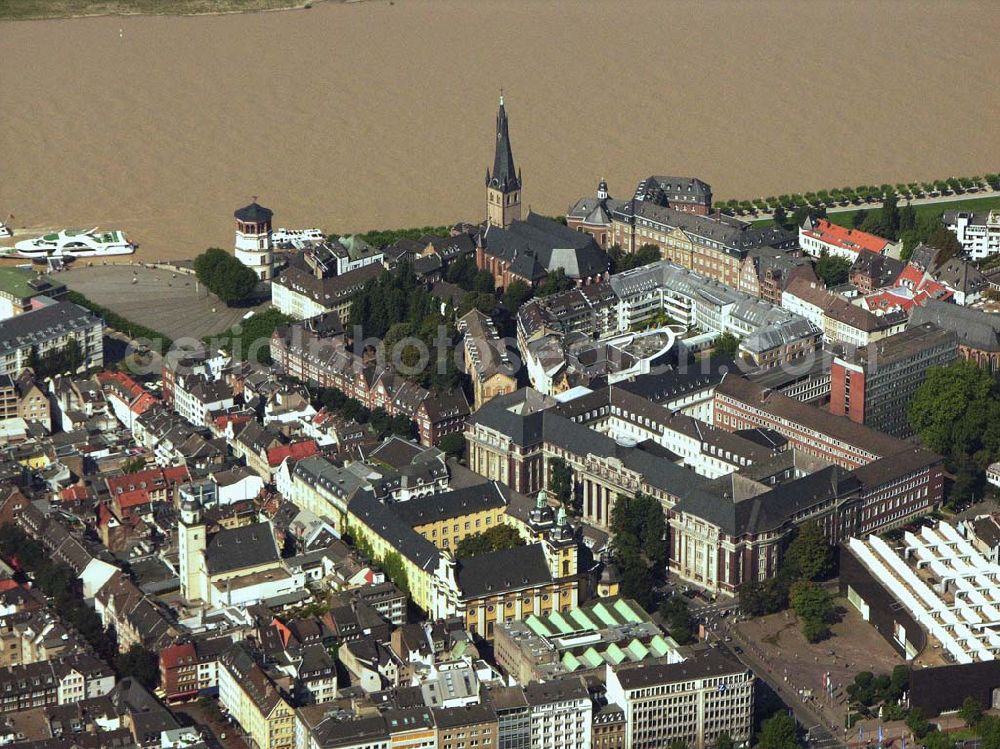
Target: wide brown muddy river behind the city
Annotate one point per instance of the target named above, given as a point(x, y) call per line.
point(379, 114)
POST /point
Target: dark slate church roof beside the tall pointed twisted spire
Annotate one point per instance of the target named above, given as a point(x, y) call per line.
point(538, 245)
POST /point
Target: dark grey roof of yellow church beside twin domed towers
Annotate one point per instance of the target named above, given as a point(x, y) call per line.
point(502, 571)
